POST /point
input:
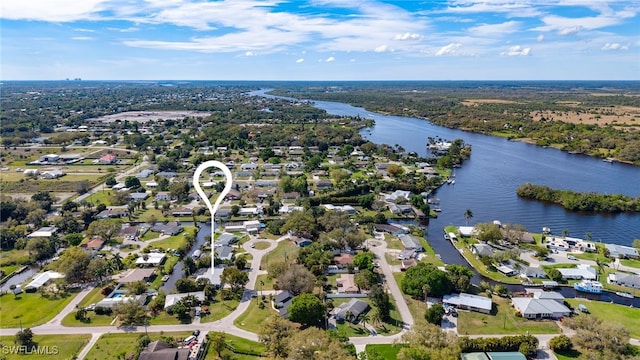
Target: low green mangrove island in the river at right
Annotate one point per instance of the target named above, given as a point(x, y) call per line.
point(576, 201)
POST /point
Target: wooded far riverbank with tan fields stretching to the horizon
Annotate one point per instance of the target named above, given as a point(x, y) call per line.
point(578, 119)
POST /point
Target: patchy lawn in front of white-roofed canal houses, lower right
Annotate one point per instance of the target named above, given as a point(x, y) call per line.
point(504, 321)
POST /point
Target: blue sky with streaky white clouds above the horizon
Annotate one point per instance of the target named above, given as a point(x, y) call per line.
point(319, 40)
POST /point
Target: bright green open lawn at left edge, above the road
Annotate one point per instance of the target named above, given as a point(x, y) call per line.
point(29, 309)
